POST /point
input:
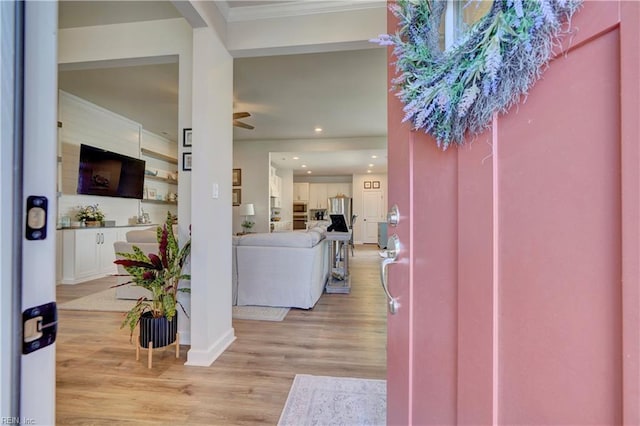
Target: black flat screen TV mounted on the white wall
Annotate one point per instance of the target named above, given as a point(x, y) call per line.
point(109, 174)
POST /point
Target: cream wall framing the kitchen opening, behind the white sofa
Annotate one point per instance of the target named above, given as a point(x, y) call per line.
point(253, 158)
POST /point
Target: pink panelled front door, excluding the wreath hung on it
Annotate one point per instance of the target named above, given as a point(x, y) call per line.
point(518, 276)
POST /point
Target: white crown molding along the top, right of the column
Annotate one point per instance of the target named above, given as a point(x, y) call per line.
point(294, 8)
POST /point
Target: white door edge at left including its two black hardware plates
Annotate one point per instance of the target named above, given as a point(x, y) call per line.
point(37, 270)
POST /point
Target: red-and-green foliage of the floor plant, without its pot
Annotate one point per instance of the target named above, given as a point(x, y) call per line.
point(159, 273)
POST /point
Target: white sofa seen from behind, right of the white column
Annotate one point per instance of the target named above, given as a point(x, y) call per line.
point(287, 269)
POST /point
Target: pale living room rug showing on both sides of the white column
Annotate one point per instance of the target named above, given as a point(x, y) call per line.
point(106, 301)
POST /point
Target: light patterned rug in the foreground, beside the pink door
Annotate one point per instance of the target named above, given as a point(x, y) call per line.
point(324, 400)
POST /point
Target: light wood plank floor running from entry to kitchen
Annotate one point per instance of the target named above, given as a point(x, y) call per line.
point(99, 381)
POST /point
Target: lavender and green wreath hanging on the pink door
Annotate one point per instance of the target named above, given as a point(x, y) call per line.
point(488, 69)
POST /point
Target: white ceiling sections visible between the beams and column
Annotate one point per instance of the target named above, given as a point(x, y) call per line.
point(287, 96)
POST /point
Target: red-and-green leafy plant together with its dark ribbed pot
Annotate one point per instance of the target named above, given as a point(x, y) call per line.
point(161, 274)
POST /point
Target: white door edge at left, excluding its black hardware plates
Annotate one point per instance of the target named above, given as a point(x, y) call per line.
point(39, 177)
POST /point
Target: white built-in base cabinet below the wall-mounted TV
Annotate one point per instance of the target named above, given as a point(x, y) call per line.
point(88, 253)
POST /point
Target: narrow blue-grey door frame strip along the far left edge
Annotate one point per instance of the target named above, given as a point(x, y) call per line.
point(11, 29)
